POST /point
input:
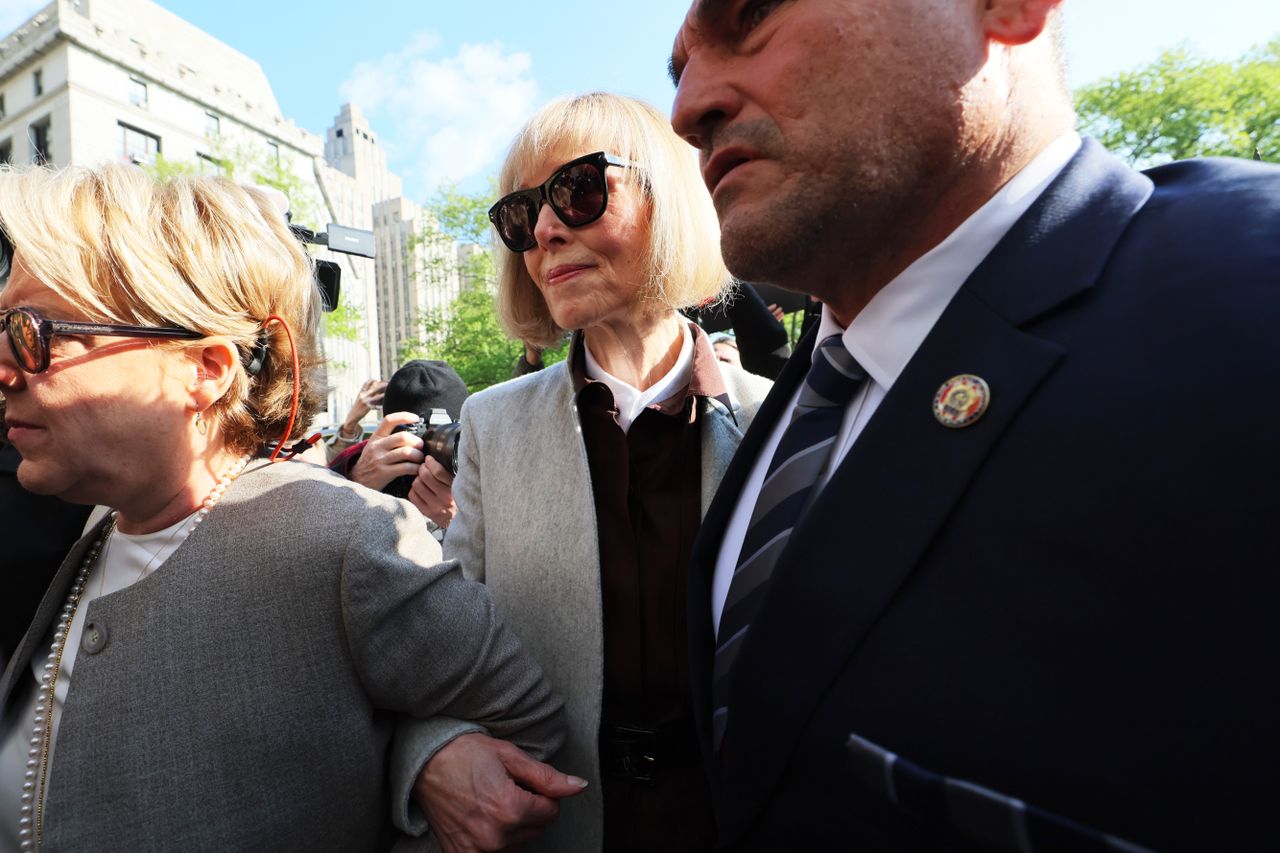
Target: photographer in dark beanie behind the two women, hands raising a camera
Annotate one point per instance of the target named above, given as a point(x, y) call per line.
point(414, 391)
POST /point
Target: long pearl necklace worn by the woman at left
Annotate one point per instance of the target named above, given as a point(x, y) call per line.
point(31, 820)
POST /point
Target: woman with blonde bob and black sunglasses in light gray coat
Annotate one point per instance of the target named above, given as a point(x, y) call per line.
point(582, 487)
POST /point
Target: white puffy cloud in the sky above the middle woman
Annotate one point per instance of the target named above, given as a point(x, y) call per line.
point(445, 118)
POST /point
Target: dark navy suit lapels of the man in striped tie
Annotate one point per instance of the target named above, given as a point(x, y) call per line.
point(883, 508)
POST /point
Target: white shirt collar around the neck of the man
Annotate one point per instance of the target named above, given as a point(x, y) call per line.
point(890, 330)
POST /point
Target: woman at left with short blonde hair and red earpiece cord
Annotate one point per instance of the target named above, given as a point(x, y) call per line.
point(221, 662)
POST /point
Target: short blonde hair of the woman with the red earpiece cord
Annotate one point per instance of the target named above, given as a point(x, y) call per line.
point(202, 254)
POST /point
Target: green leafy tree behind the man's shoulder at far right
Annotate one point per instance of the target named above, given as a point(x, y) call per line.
point(1186, 106)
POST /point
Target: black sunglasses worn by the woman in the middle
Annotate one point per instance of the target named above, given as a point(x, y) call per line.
point(578, 193)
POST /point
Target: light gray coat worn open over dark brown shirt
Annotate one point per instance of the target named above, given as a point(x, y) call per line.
point(527, 528)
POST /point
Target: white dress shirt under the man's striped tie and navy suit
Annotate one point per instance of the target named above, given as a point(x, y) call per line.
point(892, 329)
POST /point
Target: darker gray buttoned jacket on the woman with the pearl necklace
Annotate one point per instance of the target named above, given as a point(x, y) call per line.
point(248, 691)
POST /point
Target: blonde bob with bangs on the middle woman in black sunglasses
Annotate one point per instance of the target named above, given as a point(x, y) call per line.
point(685, 266)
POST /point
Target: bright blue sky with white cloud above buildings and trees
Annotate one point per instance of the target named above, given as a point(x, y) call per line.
point(446, 84)
